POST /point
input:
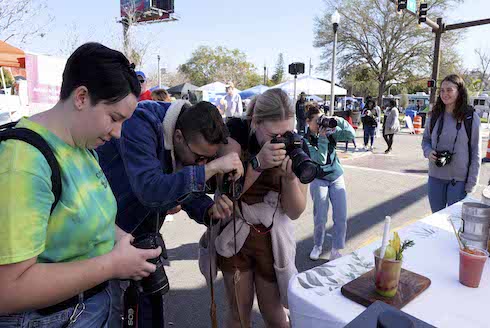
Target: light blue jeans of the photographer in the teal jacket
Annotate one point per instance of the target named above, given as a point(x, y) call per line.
point(322, 191)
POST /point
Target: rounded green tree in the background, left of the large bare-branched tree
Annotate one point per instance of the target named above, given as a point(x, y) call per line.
point(208, 65)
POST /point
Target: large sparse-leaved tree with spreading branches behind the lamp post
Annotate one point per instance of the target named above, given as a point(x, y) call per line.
point(371, 33)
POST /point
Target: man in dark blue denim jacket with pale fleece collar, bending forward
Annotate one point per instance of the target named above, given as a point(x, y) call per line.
point(161, 163)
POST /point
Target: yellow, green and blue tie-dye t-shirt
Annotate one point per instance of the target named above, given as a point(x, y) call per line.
point(81, 226)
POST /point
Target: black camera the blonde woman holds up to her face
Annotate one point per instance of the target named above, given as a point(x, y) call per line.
point(305, 169)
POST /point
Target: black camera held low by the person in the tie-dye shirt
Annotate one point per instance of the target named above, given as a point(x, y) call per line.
point(156, 282)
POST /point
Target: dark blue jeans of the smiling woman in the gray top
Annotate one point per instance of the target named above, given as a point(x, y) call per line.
point(444, 193)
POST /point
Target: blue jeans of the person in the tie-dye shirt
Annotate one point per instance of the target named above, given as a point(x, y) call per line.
point(96, 315)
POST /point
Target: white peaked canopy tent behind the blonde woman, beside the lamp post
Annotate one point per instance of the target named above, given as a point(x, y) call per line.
point(309, 85)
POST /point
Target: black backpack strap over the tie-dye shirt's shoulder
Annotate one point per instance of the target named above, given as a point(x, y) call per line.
point(34, 139)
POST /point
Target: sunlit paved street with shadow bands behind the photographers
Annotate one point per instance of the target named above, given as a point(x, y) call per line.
point(377, 185)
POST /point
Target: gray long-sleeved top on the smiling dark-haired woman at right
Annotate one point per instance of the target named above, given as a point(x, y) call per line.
point(458, 167)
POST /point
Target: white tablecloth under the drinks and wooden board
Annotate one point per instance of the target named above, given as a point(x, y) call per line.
point(315, 299)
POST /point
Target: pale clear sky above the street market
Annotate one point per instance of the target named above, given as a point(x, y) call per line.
point(260, 28)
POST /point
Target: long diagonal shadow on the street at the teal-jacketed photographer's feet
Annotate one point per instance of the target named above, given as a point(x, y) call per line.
point(362, 222)
